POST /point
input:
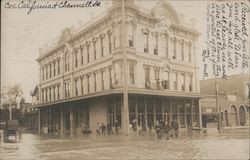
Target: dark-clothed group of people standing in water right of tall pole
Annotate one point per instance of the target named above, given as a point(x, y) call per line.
point(162, 128)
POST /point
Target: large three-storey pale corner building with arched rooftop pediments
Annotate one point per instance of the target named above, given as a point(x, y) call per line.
point(82, 78)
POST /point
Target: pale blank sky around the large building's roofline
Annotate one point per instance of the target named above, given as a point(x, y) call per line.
point(22, 35)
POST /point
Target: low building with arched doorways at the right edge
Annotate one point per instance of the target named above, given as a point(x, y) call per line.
point(233, 100)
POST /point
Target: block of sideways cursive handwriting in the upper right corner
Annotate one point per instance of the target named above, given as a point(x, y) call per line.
point(227, 39)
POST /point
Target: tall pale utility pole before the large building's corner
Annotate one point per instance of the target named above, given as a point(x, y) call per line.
point(125, 89)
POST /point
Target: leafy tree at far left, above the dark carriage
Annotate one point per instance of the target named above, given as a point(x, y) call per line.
point(11, 94)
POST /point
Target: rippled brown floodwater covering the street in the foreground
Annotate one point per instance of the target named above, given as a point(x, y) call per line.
point(212, 144)
